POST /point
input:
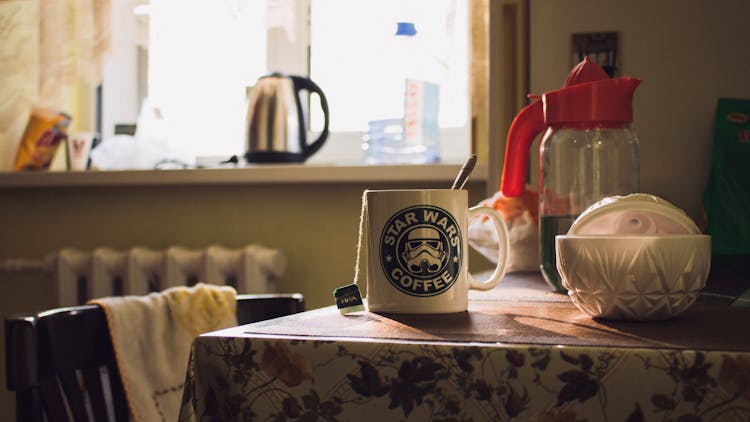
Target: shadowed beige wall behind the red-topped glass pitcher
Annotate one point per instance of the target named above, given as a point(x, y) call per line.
point(689, 53)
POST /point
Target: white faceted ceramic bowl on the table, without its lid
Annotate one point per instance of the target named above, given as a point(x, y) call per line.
point(621, 277)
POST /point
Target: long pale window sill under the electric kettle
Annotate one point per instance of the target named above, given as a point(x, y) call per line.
point(249, 175)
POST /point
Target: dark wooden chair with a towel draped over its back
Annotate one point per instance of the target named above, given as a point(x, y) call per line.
point(61, 363)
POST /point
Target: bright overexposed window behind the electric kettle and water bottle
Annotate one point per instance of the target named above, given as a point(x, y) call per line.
point(202, 54)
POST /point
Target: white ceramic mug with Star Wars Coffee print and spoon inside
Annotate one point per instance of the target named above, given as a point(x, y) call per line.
point(418, 256)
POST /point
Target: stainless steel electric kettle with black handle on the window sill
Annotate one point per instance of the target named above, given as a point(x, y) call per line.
point(276, 123)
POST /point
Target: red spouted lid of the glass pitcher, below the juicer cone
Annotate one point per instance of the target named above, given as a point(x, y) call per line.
point(604, 101)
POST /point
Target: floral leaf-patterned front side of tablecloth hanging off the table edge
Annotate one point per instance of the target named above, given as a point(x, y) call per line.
point(294, 380)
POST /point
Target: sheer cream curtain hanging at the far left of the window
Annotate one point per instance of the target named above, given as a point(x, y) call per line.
point(52, 54)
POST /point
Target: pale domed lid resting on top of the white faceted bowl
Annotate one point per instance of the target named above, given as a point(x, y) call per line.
point(638, 213)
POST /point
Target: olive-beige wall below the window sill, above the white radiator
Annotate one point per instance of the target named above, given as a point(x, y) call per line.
point(314, 225)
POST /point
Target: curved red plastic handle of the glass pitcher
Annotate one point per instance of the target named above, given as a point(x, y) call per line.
point(527, 124)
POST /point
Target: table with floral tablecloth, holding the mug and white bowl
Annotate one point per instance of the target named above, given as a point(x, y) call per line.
point(519, 352)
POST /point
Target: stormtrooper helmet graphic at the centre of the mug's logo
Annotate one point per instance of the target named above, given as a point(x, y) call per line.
point(424, 253)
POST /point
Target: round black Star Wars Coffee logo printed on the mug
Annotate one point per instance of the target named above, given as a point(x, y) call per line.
point(420, 250)
